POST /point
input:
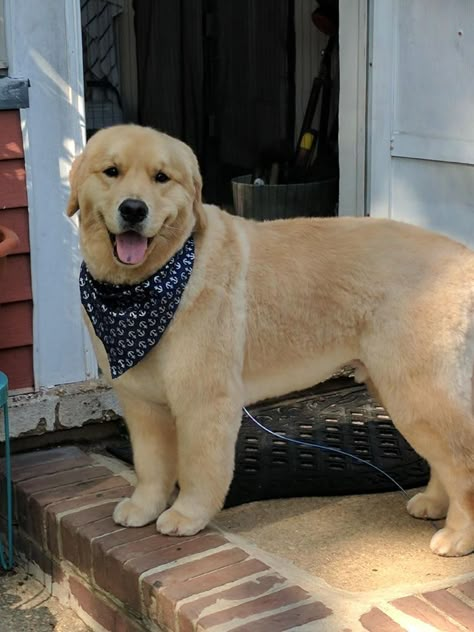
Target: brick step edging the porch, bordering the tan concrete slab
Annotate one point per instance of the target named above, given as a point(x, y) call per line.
point(127, 580)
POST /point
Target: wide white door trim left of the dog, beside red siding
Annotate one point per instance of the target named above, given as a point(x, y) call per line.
point(44, 45)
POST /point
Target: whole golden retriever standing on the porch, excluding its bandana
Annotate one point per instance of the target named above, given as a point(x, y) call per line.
point(269, 308)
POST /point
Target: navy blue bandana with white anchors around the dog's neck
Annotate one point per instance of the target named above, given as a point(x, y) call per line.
point(131, 319)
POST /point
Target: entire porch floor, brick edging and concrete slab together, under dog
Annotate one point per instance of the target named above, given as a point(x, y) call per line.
point(295, 565)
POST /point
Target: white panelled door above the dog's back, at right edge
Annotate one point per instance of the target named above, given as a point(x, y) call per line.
point(421, 114)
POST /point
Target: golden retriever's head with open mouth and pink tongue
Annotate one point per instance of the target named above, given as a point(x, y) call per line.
point(139, 195)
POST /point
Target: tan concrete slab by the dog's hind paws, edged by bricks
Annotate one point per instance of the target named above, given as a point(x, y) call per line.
point(354, 543)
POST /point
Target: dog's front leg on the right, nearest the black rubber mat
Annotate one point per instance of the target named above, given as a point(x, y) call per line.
point(206, 438)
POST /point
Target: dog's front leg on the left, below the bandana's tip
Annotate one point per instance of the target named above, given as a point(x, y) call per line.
point(153, 435)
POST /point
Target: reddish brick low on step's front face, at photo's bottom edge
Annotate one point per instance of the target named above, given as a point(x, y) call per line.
point(100, 611)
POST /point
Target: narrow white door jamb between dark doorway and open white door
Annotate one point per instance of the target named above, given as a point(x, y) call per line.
point(352, 107)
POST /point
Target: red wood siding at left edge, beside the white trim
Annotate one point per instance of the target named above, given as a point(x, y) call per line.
point(16, 306)
